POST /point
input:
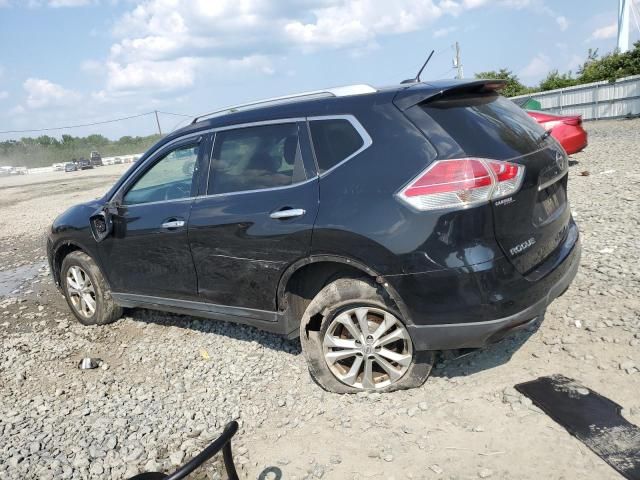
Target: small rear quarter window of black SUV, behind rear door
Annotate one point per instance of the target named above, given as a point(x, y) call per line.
point(333, 141)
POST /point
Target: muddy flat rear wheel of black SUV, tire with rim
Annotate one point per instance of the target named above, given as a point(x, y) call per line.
point(329, 322)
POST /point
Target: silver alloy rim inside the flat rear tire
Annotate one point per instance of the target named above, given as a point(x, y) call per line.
point(367, 348)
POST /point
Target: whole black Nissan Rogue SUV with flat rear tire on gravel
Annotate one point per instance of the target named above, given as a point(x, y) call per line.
point(378, 225)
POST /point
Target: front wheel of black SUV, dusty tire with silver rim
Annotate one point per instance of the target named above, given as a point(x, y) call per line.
point(82, 281)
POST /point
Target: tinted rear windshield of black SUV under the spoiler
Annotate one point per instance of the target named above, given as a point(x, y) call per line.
point(486, 125)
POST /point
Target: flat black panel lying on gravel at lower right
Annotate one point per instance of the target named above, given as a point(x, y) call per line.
point(591, 418)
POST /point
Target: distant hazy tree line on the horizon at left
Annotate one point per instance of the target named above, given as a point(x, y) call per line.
point(44, 150)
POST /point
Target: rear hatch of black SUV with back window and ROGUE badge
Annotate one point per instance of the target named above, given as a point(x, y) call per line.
point(530, 224)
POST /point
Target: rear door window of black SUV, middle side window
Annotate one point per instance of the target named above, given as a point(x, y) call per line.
point(253, 158)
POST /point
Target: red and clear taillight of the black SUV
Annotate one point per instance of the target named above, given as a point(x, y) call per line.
point(461, 183)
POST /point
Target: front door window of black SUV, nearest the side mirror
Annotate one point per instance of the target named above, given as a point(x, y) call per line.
point(170, 178)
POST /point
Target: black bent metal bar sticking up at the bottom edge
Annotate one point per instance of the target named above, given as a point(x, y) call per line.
point(223, 442)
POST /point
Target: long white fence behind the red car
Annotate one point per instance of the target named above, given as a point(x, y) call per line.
point(594, 101)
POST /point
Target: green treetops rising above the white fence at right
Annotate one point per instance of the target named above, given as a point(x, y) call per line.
point(610, 67)
